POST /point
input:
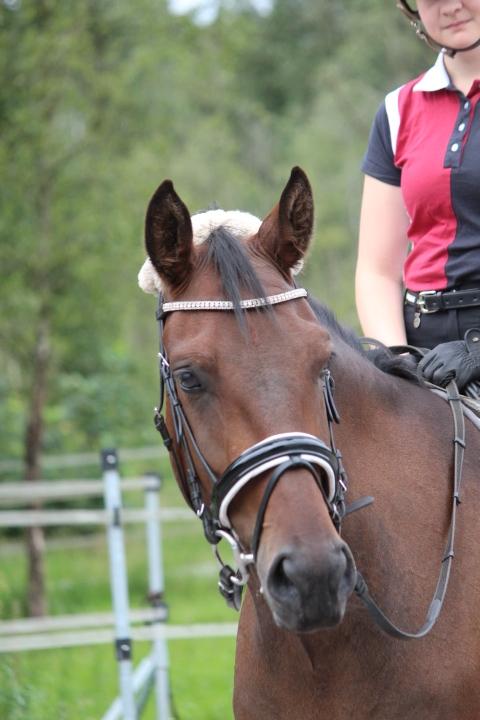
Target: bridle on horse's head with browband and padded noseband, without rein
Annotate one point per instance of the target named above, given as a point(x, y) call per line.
point(277, 453)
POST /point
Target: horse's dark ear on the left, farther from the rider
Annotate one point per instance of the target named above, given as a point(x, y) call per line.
point(168, 235)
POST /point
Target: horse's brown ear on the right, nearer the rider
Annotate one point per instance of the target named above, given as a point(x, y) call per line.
point(285, 233)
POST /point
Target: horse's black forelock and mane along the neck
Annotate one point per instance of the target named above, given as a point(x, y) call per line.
point(229, 258)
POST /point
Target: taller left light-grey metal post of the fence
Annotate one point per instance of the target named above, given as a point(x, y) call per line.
point(156, 587)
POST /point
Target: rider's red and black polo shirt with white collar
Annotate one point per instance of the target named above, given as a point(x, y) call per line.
point(426, 139)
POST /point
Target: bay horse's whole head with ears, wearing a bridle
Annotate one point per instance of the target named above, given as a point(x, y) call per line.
point(249, 405)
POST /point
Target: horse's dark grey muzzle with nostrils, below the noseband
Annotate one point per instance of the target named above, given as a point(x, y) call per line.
point(307, 591)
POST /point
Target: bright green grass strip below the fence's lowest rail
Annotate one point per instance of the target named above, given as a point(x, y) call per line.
point(80, 683)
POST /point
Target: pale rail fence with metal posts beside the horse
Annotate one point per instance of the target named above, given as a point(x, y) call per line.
point(152, 672)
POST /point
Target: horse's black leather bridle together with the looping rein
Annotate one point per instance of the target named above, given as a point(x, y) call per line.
point(280, 453)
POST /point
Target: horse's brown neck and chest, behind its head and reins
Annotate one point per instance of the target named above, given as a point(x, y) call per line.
point(396, 441)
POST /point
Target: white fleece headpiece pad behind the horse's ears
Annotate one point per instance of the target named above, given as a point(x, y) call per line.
point(240, 224)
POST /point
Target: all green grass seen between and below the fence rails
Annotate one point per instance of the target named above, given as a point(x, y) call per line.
point(80, 683)
